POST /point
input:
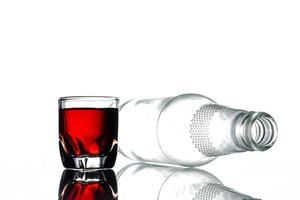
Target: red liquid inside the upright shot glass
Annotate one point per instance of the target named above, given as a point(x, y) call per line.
point(88, 131)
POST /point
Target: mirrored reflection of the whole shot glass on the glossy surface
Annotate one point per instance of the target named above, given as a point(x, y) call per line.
point(88, 185)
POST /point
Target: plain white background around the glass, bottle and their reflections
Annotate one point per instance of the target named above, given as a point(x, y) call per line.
point(244, 54)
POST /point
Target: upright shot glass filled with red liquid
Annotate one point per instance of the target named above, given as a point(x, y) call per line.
point(88, 131)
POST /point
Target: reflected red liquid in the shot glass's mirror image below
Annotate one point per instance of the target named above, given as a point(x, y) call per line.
point(89, 191)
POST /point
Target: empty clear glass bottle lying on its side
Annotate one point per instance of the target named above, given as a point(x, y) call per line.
point(190, 130)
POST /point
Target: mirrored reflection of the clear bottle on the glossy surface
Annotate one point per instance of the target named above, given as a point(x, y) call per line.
point(150, 182)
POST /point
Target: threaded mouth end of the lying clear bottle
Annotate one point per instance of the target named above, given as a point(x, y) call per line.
point(255, 131)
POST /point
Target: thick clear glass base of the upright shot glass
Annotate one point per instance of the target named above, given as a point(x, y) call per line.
point(86, 162)
